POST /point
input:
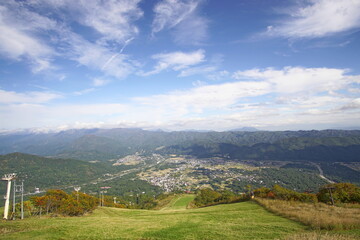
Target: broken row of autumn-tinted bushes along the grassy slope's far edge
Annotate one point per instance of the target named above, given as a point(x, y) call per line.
point(59, 203)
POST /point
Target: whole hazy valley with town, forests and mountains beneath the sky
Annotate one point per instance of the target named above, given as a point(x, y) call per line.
point(135, 161)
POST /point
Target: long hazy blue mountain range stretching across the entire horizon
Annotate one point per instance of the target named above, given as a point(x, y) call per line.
point(105, 144)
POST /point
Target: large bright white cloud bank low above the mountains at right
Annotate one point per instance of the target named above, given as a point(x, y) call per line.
point(261, 98)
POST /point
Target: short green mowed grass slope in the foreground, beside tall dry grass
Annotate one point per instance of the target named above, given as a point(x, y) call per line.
point(245, 220)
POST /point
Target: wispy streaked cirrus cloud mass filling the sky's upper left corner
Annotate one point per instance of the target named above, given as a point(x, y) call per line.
point(41, 31)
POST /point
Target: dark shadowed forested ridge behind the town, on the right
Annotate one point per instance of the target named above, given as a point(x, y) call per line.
point(334, 149)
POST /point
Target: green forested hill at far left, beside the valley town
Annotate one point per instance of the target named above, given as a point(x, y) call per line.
point(48, 172)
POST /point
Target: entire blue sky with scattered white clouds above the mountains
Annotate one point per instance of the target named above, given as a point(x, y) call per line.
point(180, 64)
